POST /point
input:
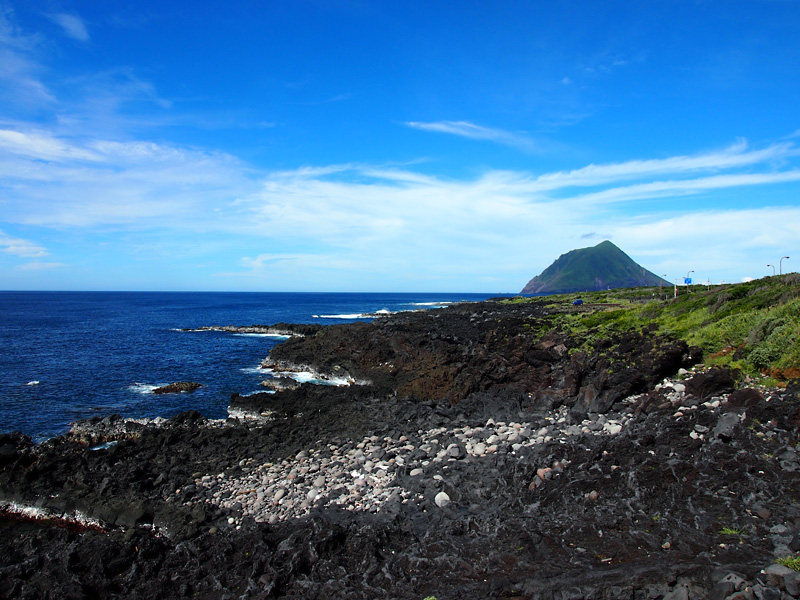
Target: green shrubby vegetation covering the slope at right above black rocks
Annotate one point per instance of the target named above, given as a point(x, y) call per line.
point(753, 327)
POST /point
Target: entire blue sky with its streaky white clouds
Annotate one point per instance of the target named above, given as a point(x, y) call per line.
point(393, 146)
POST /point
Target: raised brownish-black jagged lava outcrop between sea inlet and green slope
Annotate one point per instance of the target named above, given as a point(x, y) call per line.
point(488, 348)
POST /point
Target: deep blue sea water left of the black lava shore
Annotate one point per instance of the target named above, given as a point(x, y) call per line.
point(66, 356)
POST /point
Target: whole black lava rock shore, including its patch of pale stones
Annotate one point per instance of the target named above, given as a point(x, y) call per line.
point(491, 450)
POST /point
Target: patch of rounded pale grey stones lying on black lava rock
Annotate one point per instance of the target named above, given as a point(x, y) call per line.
point(361, 475)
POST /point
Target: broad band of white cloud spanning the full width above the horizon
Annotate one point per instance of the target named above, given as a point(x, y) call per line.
point(360, 224)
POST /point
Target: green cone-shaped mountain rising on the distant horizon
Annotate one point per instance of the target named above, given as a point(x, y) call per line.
point(591, 269)
